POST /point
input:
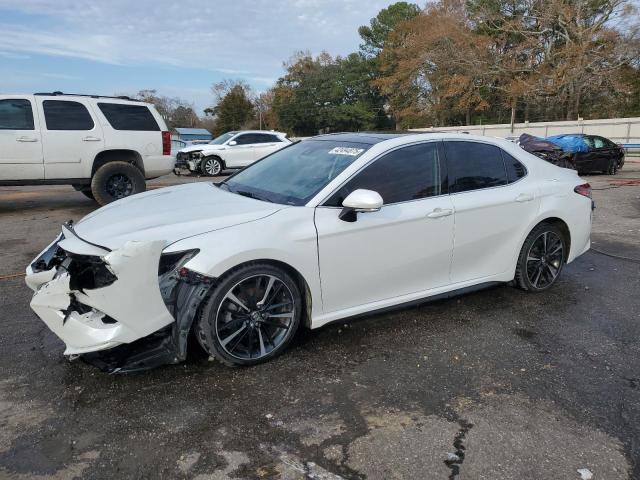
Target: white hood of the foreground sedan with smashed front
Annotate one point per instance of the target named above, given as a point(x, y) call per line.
point(170, 214)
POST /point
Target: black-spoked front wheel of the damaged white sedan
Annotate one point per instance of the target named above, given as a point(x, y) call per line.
point(252, 315)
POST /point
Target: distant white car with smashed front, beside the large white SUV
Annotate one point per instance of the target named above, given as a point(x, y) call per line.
point(230, 150)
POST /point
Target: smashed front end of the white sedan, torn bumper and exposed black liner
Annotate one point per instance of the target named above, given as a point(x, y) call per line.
point(124, 310)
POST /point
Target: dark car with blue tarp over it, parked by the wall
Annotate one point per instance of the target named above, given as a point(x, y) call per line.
point(591, 153)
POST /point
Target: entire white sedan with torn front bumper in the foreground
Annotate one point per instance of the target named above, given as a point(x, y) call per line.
point(325, 229)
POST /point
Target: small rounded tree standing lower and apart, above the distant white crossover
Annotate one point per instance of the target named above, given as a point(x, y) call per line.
point(234, 107)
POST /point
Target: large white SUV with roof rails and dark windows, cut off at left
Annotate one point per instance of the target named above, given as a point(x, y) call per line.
point(104, 146)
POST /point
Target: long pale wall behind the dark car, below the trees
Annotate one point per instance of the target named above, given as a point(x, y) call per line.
point(619, 130)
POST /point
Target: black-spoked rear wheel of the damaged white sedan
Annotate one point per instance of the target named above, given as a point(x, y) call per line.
point(541, 258)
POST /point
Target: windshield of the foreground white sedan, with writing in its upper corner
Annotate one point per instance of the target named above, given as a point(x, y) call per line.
point(295, 174)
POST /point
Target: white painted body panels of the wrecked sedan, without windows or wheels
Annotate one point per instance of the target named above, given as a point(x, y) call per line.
point(403, 252)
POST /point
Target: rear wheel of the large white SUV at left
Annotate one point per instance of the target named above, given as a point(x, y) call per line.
point(116, 180)
